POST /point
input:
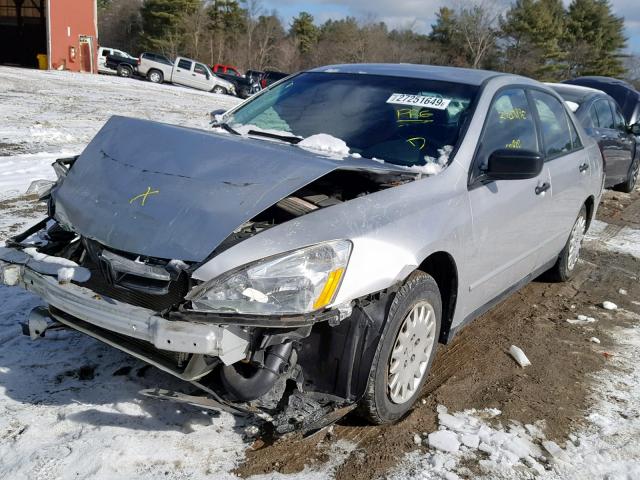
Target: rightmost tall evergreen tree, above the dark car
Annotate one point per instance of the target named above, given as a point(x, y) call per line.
point(594, 39)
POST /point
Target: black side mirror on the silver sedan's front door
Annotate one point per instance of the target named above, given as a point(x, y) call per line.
point(513, 164)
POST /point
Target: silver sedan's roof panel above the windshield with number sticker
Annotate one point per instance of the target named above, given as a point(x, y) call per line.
point(430, 72)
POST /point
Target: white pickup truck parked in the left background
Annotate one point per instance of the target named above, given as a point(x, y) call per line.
point(183, 71)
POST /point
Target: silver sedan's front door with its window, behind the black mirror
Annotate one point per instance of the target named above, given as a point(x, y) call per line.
point(509, 216)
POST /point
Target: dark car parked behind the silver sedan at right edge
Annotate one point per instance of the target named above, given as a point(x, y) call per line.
point(603, 120)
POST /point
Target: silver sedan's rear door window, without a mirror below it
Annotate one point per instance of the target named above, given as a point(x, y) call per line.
point(554, 124)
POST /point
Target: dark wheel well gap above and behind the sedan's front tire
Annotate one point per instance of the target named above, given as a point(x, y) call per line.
point(442, 268)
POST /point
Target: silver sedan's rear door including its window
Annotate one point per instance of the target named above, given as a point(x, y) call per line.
point(569, 170)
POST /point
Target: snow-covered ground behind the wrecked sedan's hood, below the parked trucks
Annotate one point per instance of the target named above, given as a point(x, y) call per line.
point(50, 115)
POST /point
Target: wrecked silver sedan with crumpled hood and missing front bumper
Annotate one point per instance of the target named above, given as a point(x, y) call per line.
point(309, 254)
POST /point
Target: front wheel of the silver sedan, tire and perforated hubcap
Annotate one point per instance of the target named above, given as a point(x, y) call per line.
point(382, 401)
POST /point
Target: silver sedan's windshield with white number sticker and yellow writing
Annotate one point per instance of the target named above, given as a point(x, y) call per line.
point(405, 121)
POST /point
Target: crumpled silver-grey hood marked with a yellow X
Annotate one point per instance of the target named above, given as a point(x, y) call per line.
point(176, 193)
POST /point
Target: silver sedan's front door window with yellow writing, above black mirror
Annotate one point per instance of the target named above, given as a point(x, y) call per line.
point(509, 124)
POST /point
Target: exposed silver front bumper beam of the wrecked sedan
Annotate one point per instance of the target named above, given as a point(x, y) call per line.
point(229, 343)
